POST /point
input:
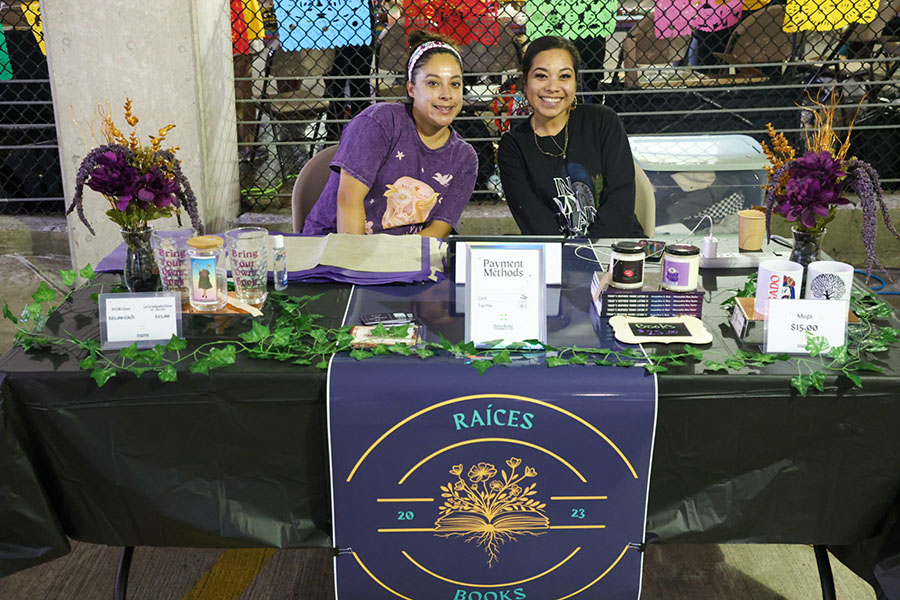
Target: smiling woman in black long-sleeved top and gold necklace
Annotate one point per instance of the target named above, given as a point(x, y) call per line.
point(568, 167)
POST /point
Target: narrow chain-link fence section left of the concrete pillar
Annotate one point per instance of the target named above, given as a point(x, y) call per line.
point(30, 179)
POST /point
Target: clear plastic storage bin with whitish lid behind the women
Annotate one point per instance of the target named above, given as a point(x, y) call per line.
point(696, 175)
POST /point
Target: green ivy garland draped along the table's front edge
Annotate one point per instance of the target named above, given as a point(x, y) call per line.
point(298, 337)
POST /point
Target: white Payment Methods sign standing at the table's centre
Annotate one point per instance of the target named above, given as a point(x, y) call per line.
point(505, 293)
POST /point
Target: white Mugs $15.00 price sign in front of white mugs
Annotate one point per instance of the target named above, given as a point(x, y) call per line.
point(788, 322)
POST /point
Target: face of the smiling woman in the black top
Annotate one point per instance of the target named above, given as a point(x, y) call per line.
point(550, 85)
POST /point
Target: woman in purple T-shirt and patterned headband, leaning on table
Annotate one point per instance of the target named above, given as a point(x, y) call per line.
point(400, 168)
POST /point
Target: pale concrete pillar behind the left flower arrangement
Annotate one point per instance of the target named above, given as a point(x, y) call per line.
point(173, 58)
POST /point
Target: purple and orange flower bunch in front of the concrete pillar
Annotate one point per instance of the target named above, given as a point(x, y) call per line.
point(140, 182)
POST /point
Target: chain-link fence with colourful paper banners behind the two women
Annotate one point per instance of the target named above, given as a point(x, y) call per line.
point(666, 66)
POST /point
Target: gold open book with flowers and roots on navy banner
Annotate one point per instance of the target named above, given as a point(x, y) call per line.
point(491, 510)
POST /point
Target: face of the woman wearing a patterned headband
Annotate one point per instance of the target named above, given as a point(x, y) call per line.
point(436, 92)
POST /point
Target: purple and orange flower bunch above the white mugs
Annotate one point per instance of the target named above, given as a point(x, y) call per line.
point(807, 190)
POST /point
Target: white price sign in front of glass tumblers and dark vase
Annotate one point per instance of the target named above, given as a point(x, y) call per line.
point(148, 318)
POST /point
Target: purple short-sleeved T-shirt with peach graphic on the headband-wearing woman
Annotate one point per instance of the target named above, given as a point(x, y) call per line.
point(409, 183)
